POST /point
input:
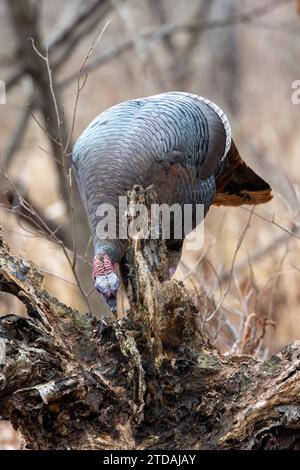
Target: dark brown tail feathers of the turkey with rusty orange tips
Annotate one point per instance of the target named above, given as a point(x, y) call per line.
point(238, 184)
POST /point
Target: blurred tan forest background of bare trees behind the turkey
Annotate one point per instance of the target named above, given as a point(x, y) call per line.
point(242, 54)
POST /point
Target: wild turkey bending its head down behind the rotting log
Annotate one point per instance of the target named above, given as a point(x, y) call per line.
point(178, 142)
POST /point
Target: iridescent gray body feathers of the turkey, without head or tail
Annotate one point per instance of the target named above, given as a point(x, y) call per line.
point(173, 141)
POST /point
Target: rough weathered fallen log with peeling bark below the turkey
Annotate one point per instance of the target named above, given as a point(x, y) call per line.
point(148, 381)
